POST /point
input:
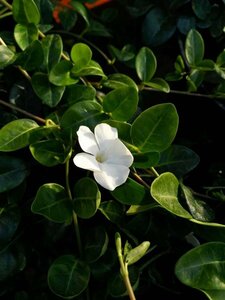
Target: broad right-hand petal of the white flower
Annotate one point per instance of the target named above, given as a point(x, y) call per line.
point(117, 153)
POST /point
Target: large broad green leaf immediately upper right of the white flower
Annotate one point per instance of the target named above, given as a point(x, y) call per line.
point(155, 128)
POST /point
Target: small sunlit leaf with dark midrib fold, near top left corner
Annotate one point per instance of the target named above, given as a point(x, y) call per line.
point(25, 34)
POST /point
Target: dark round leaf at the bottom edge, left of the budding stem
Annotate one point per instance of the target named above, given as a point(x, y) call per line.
point(68, 276)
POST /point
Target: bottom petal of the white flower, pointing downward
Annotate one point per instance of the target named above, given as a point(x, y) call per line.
point(111, 176)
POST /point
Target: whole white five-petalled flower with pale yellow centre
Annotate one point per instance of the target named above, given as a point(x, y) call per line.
point(104, 154)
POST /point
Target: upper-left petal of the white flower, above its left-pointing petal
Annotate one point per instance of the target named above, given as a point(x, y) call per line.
point(87, 140)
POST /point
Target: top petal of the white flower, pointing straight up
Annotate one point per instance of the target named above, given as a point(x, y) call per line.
point(104, 132)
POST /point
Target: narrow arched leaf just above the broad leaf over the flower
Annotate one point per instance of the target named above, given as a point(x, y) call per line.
point(118, 80)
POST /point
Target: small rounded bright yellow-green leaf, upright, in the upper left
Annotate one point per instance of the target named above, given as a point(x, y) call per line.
point(81, 55)
